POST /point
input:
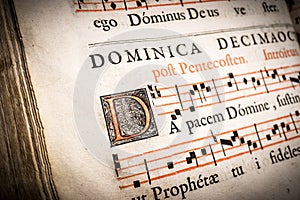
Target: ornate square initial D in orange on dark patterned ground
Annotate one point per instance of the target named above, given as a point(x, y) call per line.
point(128, 117)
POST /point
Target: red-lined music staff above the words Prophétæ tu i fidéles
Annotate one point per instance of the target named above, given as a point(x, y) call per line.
point(146, 167)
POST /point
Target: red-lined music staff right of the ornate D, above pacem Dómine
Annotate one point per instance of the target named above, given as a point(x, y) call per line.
point(191, 96)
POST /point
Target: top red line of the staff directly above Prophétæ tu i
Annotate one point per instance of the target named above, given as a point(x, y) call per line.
point(198, 139)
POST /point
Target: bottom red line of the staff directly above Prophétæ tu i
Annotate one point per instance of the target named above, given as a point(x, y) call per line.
point(208, 163)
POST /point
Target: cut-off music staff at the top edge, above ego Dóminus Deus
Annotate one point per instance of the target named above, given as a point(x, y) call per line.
point(110, 5)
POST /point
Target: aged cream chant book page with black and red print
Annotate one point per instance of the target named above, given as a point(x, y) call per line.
point(157, 99)
